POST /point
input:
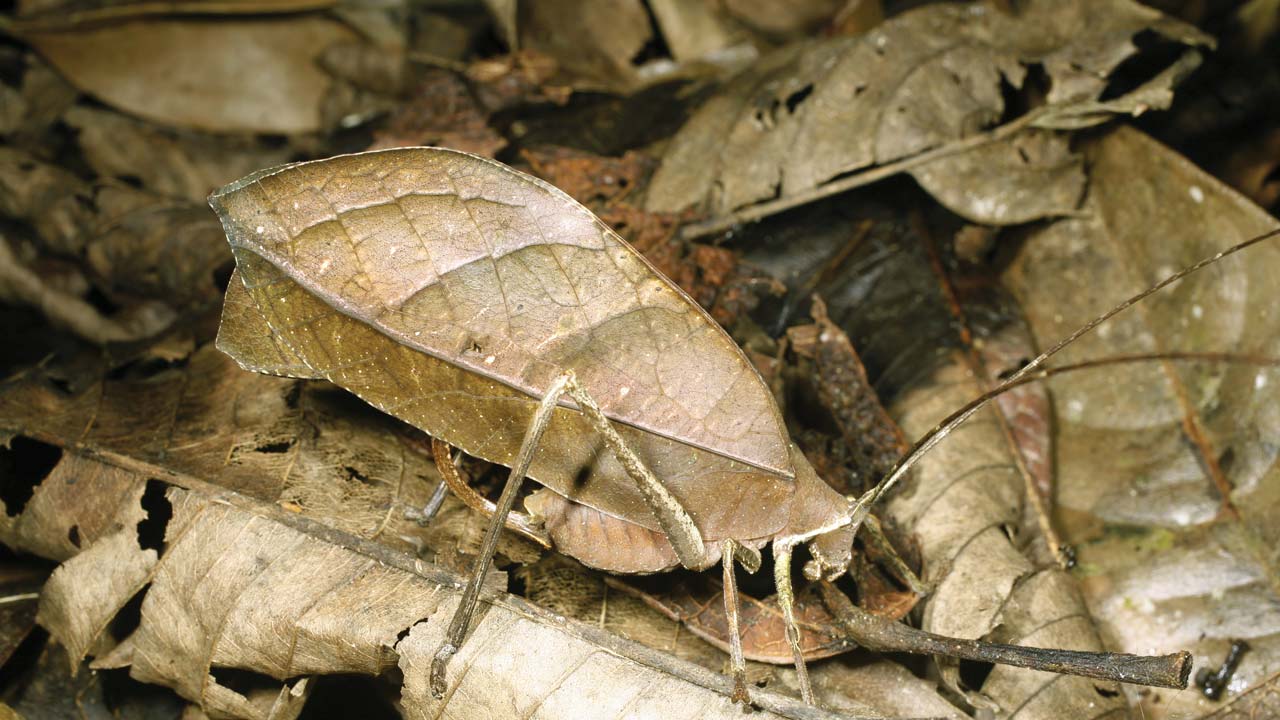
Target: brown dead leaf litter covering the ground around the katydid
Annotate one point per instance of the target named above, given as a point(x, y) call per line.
point(106, 222)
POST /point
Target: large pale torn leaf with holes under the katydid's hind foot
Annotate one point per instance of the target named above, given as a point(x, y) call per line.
point(337, 576)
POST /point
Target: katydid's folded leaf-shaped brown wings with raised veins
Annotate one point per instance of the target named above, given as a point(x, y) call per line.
point(314, 238)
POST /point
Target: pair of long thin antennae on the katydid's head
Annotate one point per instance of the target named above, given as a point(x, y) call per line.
point(1035, 372)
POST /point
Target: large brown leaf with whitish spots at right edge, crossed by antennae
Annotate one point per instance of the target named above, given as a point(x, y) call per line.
point(1168, 473)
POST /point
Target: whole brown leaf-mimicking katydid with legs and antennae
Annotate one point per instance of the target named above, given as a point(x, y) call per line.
point(501, 317)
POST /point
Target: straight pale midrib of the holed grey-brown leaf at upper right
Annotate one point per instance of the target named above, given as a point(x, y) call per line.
point(762, 211)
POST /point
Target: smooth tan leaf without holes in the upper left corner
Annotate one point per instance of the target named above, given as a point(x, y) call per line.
point(217, 75)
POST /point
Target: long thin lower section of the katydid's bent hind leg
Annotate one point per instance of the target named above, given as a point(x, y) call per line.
point(467, 608)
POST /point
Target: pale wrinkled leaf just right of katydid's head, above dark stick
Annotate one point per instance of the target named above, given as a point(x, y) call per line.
point(966, 508)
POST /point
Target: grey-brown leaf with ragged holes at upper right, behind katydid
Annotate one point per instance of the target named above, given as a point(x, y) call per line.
point(810, 113)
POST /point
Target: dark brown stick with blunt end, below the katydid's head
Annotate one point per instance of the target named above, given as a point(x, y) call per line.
point(885, 636)
